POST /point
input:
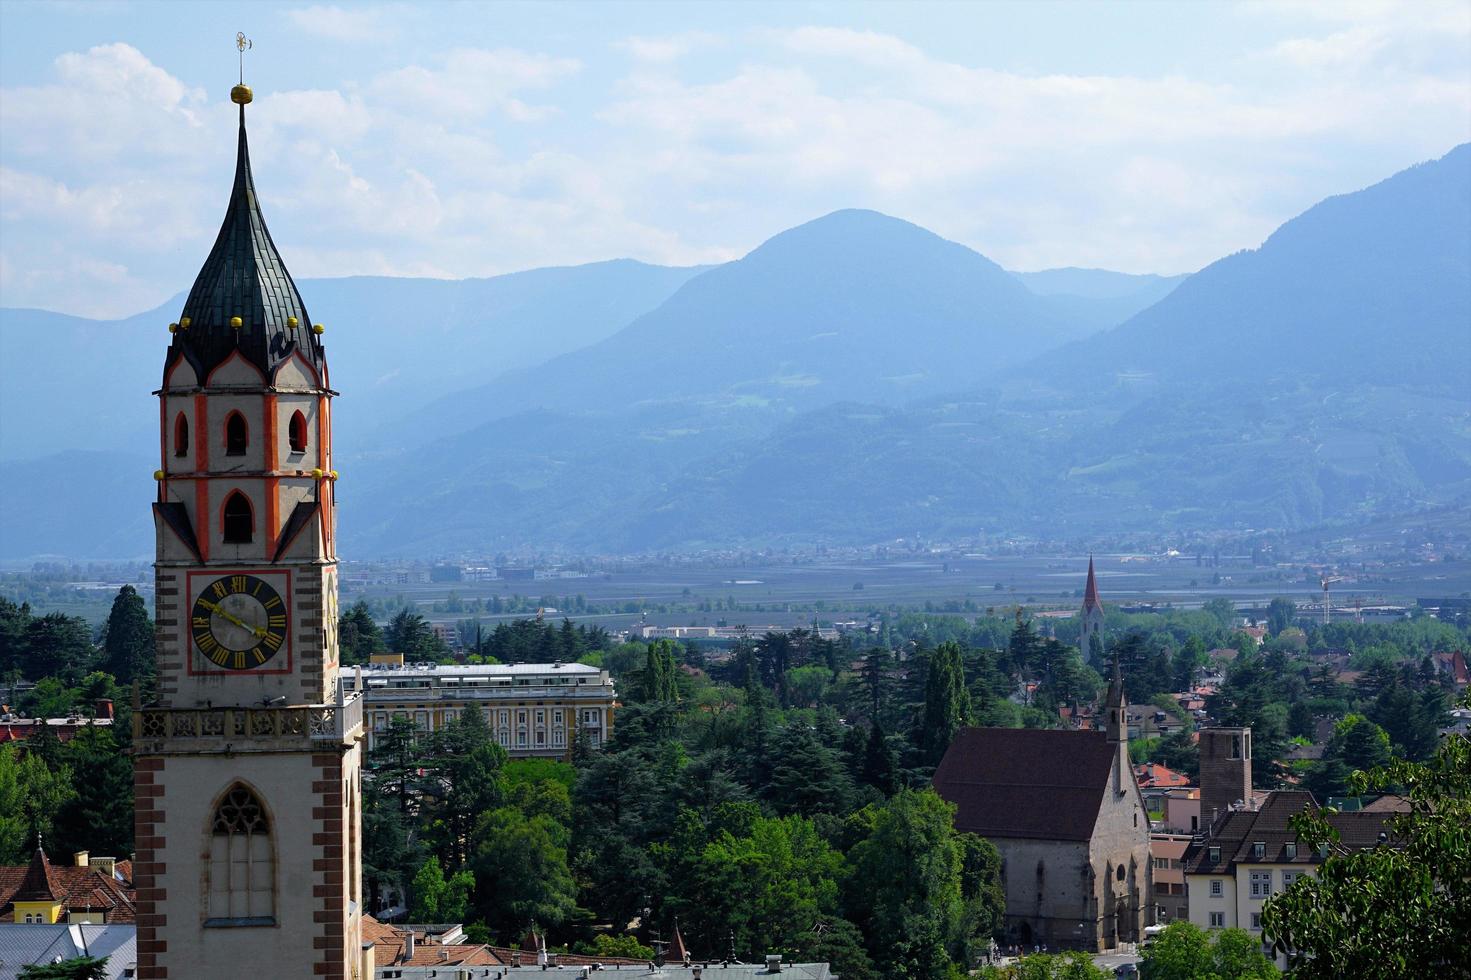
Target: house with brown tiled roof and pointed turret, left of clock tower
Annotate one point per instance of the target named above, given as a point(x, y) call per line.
point(92, 891)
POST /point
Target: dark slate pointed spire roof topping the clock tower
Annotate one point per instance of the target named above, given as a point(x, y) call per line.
point(245, 277)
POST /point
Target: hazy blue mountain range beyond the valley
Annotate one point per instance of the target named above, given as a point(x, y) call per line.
point(854, 380)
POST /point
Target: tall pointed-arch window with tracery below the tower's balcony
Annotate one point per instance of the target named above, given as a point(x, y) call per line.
point(242, 863)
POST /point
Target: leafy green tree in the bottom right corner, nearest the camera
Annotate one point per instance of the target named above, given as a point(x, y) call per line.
point(1401, 910)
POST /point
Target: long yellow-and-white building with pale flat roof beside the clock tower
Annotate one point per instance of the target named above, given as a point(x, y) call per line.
point(535, 710)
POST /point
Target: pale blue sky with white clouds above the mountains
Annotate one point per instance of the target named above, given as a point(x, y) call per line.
point(466, 141)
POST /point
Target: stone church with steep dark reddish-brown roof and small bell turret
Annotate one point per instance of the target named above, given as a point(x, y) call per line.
point(1070, 822)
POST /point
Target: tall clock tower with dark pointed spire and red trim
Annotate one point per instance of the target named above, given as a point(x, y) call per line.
point(246, 764)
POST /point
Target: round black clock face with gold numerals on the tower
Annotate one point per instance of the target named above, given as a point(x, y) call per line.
point(239, 622)
